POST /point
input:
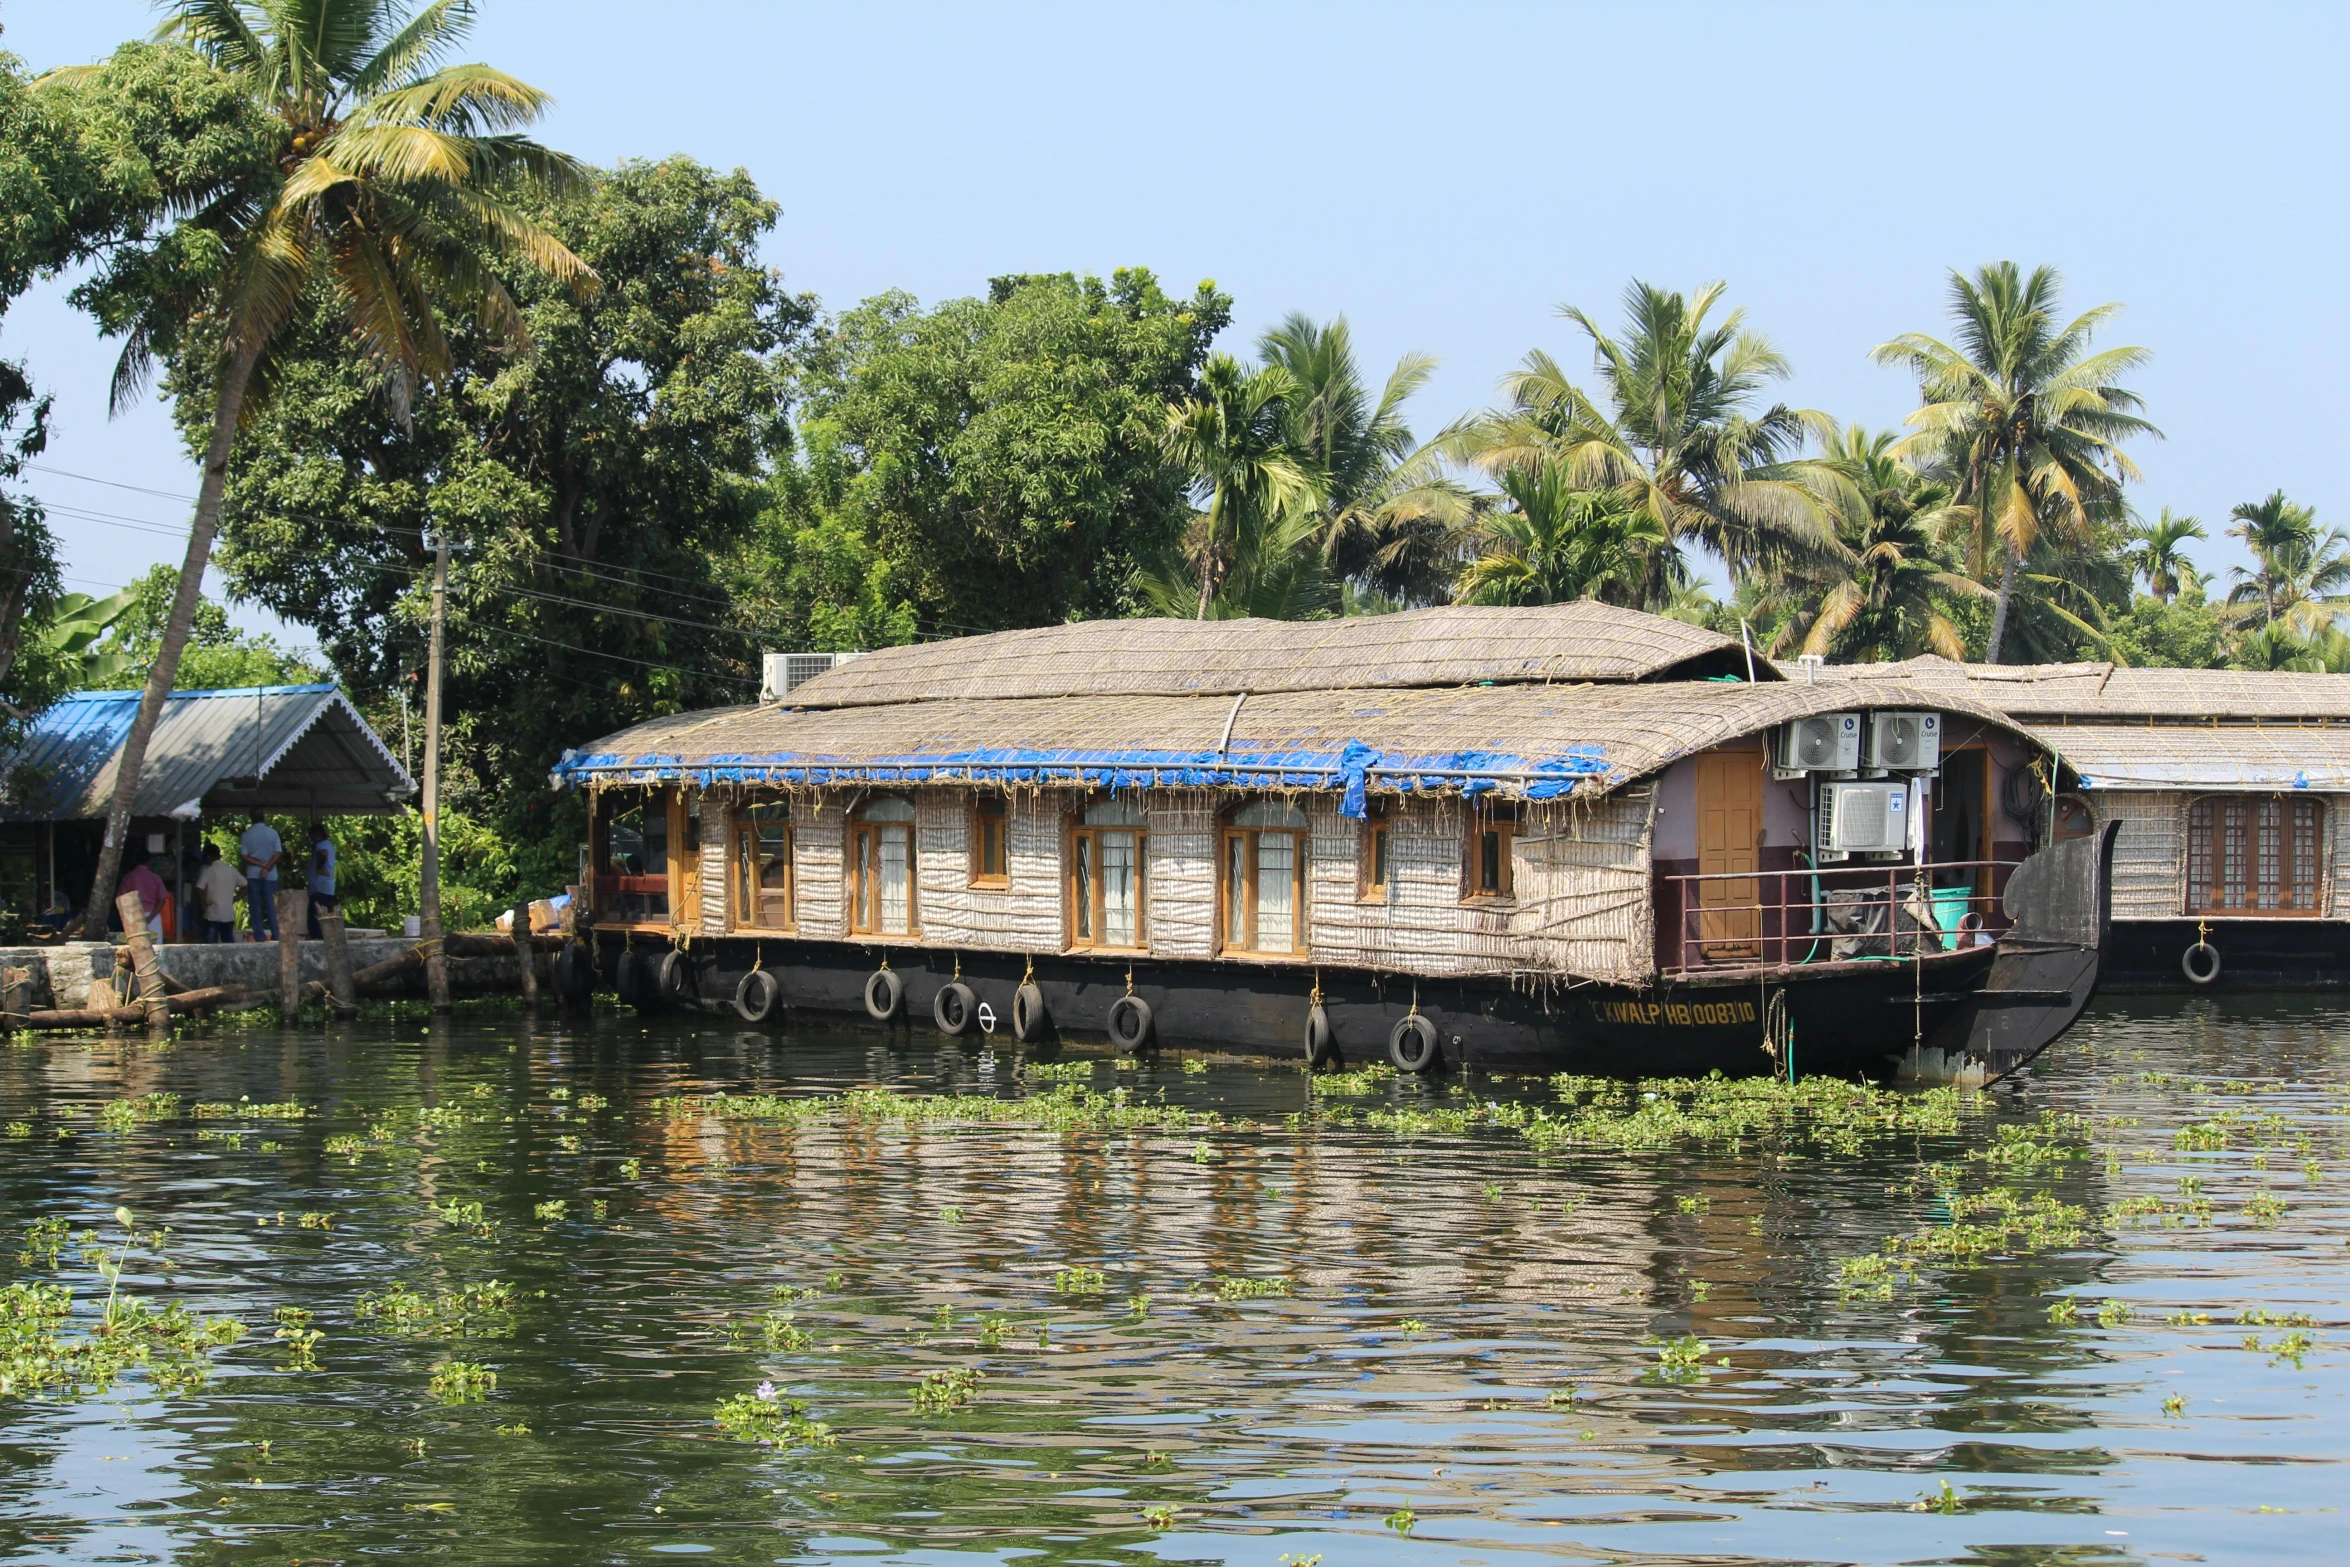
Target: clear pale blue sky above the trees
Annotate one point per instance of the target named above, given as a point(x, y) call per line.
point(1446, 175)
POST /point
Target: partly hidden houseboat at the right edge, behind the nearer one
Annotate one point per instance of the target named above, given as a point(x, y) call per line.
point(2227, 795)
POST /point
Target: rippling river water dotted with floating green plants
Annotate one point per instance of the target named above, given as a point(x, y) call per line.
point(1181, 1310)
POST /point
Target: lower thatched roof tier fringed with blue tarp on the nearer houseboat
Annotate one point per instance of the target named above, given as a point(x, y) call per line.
point(1517, 739)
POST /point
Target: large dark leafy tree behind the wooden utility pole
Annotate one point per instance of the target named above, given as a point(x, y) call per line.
point(600, 495)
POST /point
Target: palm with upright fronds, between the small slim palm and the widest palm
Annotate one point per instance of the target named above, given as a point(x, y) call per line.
point(1388, 511)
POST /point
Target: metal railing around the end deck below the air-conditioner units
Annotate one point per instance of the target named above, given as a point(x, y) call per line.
point(1834, 913)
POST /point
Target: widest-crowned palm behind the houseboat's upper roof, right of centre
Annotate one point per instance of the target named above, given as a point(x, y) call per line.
point(1674, 431)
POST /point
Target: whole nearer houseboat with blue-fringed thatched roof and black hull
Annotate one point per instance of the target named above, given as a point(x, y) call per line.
point(1566, 838)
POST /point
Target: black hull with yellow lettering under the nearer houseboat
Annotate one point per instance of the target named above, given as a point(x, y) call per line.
point(1844, 1018)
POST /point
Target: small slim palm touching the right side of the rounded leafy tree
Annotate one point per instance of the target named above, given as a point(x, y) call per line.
point(1235, 445)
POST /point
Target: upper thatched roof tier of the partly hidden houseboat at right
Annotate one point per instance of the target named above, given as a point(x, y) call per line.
point(2097, 692)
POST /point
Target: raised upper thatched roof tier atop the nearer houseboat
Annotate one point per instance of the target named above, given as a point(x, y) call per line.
point(1425, 647)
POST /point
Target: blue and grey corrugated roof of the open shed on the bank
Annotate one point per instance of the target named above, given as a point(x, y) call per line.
point(295, 748)
